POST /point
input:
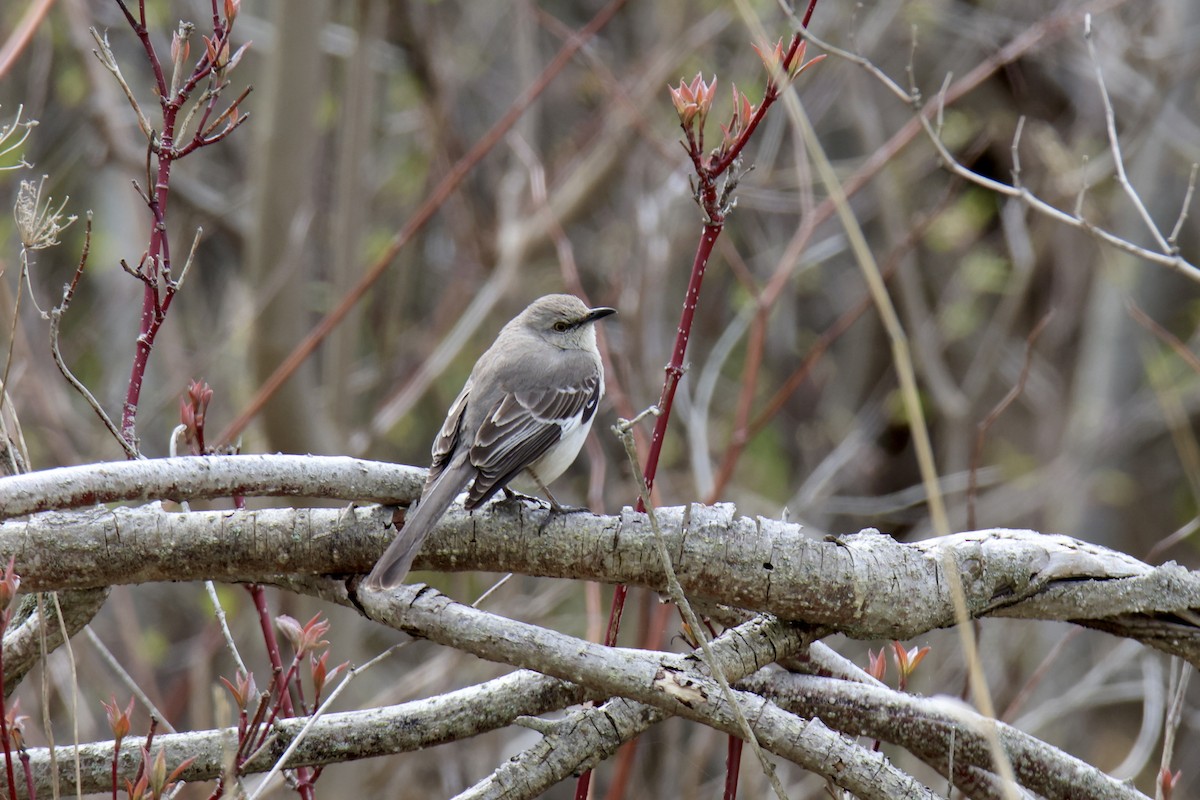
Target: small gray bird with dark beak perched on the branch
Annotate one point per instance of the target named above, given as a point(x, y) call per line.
point(521, 418)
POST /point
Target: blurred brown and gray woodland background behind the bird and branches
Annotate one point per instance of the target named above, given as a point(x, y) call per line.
point(362, 107)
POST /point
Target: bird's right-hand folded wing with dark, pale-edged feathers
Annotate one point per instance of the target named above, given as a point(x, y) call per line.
point(523, 429)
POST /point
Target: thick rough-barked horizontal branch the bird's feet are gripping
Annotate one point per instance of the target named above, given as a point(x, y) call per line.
point(867, 586)
